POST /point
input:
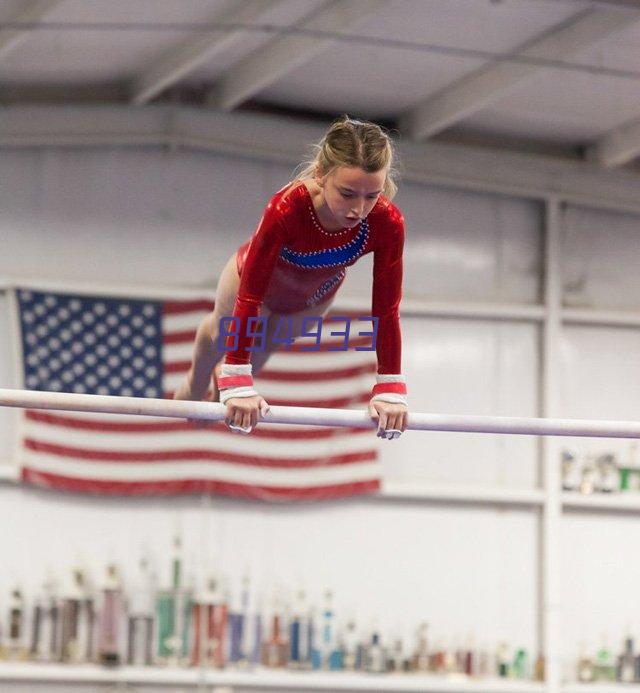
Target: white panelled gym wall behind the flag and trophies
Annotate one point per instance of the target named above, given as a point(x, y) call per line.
point(145, 217)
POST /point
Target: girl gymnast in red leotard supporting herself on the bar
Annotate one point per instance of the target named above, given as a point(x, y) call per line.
point(336, 210)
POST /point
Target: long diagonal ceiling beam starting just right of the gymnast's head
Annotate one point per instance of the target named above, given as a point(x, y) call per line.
point(485, 86)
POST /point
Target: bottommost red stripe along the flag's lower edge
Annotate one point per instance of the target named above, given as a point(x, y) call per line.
point(184, 486)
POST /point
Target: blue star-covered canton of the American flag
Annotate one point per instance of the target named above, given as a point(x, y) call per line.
point(91, 344)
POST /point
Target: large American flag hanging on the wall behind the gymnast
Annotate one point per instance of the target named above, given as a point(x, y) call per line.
point(142, 348)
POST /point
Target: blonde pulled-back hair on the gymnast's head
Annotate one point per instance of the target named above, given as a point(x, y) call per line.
point(350, 142)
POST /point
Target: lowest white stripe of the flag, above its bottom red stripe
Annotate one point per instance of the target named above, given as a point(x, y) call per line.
point(219, 471)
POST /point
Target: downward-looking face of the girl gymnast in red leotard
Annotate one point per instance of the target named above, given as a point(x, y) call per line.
point(350, 193)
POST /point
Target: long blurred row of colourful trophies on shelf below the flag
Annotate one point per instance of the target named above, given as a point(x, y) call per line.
point(187, 622)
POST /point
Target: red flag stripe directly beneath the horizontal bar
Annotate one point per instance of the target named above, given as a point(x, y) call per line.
point(169, 426)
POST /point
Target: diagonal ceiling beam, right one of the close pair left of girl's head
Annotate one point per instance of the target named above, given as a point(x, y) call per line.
point(271, 62)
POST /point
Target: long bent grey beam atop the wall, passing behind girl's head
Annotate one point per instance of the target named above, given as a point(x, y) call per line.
point(286, 140)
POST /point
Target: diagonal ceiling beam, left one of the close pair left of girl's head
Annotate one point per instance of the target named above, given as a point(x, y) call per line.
point(197, 51)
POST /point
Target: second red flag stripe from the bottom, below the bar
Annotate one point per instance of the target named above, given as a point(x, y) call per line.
point(174, 456)
